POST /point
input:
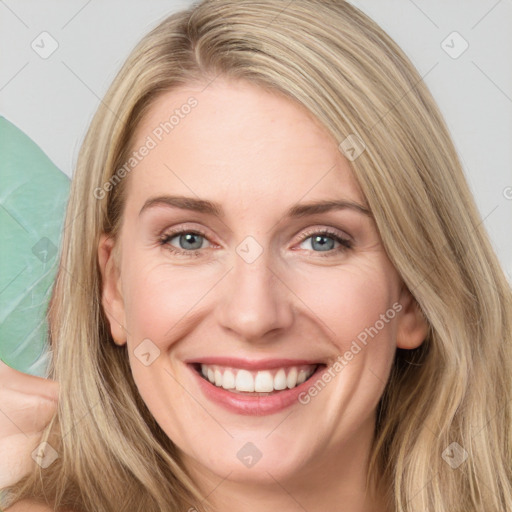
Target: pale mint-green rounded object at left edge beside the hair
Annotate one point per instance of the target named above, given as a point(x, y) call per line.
point(33, 197)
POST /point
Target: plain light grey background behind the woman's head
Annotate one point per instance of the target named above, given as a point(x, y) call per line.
point(53, 99)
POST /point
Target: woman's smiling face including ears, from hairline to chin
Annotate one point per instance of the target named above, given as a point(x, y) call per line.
point(246, 282)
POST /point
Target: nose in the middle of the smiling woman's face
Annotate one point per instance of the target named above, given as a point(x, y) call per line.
point(257, 303)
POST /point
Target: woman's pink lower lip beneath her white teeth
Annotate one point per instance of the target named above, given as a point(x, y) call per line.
point(257, 405)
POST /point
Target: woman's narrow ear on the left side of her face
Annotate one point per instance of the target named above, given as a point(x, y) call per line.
point(111, 295)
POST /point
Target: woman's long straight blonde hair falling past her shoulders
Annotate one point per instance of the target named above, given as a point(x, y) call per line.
point(455, 388)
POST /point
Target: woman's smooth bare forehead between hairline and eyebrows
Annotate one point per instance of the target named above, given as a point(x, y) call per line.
point(239, 144)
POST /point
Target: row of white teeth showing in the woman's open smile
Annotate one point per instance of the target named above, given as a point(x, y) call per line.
point(254, 383)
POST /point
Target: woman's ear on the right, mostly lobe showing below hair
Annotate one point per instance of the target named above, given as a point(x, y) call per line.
point(412, 325)
